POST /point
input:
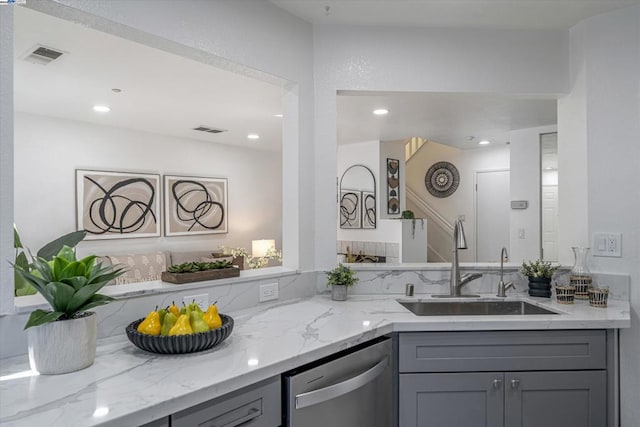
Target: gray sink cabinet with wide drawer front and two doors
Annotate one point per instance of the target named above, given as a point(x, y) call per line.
point(510, 379)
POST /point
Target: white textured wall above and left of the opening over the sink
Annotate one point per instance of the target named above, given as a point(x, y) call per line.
point(411, 59)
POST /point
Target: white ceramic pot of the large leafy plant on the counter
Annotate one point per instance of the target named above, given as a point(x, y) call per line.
point(63, 346)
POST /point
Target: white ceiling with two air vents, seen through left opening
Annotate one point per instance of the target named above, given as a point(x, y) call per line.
point(161, 93)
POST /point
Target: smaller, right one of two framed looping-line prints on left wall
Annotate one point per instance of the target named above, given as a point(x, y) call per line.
point(195, 205)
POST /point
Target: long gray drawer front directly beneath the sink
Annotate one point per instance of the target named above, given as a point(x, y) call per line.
point(501, 351)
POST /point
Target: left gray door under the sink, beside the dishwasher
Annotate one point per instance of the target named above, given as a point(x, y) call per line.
point(451, 400)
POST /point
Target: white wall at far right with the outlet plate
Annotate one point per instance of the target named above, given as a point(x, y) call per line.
point(606, 79)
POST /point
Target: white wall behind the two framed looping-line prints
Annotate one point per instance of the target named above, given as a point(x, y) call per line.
point(254, 181)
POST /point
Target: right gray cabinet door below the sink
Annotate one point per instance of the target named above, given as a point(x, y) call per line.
point(555, 399)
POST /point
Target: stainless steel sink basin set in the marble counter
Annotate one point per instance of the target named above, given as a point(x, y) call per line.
point(473, 308)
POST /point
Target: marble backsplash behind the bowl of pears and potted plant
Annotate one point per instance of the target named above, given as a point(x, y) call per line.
point(114, 317)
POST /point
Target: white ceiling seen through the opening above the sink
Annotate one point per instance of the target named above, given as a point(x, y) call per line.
point(447, 118)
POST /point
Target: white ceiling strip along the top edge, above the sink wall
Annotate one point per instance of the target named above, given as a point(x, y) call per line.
point(489, 14)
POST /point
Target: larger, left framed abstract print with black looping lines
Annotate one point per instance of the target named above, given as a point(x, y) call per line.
point(116, 205)
